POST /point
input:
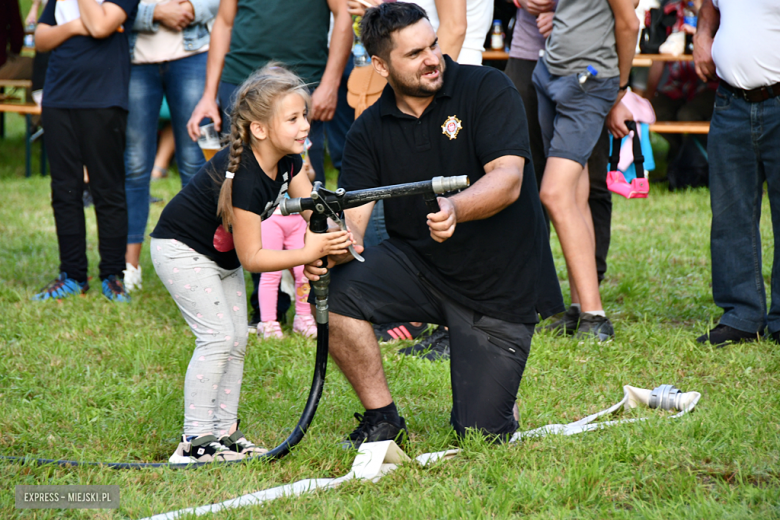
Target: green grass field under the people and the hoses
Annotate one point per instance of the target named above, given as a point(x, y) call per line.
point(90, 380)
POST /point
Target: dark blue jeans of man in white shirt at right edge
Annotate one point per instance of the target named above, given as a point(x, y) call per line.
point(744, 152)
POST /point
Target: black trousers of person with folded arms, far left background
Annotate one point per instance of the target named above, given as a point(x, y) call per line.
point(94, 138)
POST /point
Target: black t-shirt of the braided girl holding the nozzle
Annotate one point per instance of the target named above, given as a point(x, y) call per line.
point(191, 217)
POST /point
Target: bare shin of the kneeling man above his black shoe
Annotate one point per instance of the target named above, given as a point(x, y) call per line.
point(355, 350)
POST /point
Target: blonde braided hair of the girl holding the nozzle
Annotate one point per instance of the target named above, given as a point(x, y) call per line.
point(256, 100)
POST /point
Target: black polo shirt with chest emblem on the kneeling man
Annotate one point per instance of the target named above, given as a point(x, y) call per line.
point(499, 266)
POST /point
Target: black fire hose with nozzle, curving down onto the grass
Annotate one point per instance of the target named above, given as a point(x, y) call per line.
point(324, 205)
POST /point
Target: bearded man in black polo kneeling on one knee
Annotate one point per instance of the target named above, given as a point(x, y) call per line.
point(481, 265)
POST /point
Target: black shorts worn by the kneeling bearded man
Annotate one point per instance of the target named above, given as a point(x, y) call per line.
point(488, 355)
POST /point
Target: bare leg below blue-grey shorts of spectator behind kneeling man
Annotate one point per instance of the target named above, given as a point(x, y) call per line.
point(560, 186)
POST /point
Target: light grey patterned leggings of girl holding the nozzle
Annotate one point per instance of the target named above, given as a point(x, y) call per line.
point(213, 304)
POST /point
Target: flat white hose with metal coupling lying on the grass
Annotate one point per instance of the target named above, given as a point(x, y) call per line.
point(376, 459)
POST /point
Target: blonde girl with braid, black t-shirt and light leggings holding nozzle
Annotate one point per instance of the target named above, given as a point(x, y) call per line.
point(212, 228)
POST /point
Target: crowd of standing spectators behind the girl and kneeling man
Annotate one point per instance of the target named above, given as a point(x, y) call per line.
point(116, 67)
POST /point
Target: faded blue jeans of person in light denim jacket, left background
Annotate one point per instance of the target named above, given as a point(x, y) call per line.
point(182, 83)
